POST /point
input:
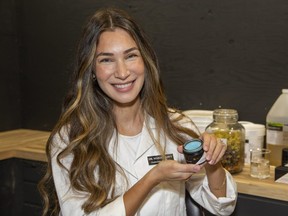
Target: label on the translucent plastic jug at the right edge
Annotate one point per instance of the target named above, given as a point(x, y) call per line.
point(277, 133)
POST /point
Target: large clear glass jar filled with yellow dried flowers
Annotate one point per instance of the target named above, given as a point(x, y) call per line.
point(226, 127)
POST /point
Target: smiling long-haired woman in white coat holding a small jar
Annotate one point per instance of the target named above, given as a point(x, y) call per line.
point(117, 148)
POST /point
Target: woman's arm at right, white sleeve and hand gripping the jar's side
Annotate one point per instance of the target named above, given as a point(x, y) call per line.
point(217, 192)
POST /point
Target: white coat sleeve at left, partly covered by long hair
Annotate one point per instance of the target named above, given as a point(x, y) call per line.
point(71, 201)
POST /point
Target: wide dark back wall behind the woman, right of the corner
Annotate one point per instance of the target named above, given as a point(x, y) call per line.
point(229, 54)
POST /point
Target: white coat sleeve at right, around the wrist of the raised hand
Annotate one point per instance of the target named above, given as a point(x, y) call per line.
point(201, 193)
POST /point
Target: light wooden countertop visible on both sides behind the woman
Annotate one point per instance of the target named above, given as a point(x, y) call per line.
point(30, 144)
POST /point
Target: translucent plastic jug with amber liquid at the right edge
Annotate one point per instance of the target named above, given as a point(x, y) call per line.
point(277, 128)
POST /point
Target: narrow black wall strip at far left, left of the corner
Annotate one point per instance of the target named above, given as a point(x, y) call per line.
point(10, 103)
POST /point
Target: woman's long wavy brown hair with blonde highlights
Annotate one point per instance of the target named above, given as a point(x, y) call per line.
point(87, 111)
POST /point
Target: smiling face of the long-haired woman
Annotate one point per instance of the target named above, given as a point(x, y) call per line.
point(119, 66)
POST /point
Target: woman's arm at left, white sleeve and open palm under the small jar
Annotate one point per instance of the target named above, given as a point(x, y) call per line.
point(127, 204)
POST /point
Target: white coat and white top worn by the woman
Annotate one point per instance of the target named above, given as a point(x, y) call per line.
point(166, 199)
